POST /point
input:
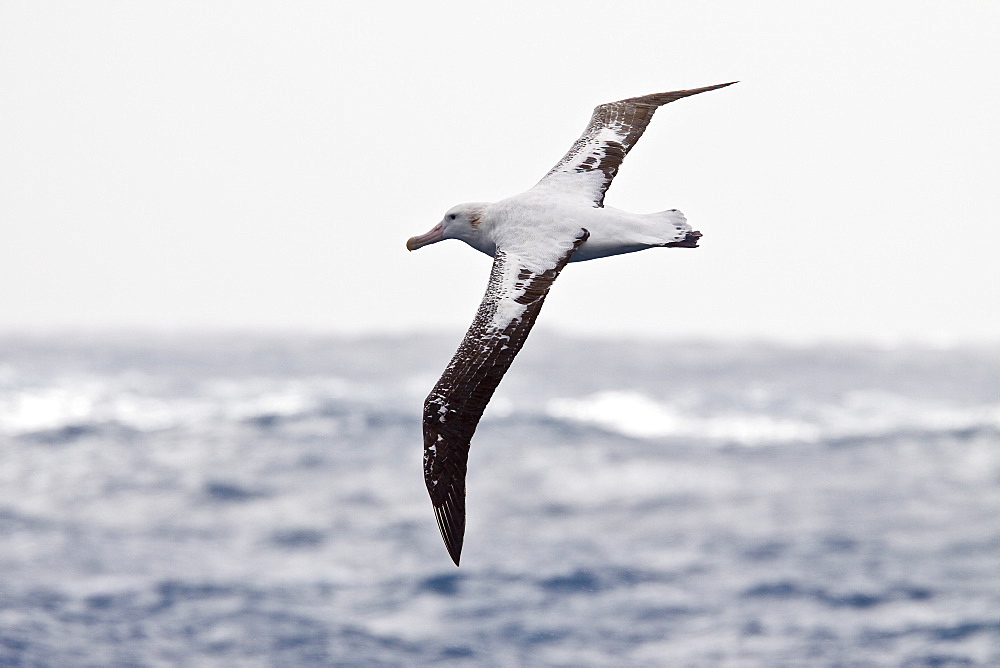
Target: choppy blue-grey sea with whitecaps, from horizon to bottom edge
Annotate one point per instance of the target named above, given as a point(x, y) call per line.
point(259, 501)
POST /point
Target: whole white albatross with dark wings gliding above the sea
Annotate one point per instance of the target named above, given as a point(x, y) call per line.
point(531, 237)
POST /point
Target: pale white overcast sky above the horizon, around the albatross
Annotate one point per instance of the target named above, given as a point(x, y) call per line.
point(259, 165)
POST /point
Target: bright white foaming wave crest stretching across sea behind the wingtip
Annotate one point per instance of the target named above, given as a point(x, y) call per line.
point(66, 408)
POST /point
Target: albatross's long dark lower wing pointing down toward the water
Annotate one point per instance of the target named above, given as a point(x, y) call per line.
point(452, 410)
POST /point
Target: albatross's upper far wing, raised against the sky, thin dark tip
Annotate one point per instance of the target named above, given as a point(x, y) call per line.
point(615, 127)
